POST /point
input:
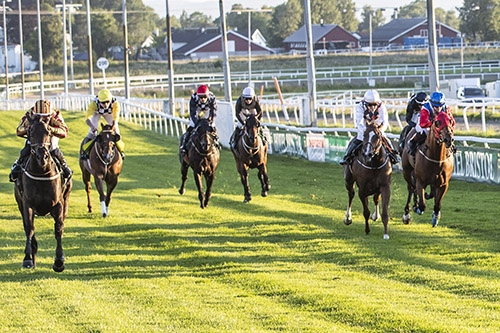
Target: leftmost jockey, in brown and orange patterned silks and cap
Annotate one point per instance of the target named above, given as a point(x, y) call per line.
point(58, 128)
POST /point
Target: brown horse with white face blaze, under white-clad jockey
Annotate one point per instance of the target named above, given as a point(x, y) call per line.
point(371, 170)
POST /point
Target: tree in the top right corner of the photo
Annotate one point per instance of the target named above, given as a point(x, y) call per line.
point(479, 19)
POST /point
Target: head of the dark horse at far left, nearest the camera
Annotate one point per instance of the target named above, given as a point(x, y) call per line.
point(39, 135)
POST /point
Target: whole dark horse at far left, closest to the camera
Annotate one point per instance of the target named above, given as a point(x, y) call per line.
point(41, 190)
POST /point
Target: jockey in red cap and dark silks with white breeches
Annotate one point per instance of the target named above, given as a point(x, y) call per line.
point(202, 101)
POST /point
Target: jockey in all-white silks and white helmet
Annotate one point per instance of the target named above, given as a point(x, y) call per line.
point(371, 108)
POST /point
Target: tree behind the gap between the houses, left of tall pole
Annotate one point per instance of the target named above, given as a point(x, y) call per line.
point(287, 18)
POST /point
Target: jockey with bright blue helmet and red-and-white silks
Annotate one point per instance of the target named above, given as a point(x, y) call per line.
point(436, 104)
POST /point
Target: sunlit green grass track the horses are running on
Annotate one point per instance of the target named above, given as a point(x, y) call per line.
point(286, 262)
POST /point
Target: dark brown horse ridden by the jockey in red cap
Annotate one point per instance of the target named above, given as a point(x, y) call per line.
point(203, 157)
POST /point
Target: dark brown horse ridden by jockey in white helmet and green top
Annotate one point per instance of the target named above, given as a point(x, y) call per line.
point(251, 153)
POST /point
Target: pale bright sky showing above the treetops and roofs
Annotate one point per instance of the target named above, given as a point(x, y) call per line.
point(211, 7)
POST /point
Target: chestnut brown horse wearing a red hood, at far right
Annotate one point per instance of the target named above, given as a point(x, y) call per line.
point(432, 165)
